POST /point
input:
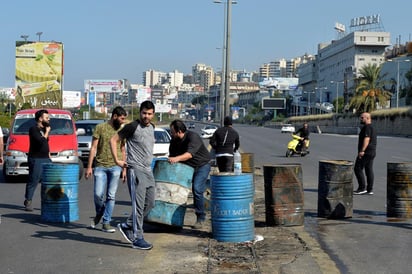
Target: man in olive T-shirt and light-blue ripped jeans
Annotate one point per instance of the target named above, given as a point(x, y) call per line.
point(106, 172)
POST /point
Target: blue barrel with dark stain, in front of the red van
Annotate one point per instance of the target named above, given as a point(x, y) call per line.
point(59, 193)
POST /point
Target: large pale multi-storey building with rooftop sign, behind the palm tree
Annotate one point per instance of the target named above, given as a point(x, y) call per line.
point(331, 73)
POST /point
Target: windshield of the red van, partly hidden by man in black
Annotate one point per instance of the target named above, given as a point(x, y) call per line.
point(59, 125)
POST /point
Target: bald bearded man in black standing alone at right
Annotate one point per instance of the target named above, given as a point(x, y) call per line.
point(366, 154)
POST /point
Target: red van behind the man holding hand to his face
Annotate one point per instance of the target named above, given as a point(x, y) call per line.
point(62, 141)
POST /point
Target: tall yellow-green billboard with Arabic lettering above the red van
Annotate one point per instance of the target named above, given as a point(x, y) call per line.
point(39, 74)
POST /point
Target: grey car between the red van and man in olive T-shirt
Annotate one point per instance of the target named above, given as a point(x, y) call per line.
point(85, 129)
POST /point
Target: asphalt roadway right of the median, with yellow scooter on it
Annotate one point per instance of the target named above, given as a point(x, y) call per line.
point(369, 242)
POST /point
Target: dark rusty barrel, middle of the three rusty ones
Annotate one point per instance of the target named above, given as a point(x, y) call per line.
point(335, 189)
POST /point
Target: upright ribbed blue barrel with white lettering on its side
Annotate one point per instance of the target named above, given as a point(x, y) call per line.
point(232, 207)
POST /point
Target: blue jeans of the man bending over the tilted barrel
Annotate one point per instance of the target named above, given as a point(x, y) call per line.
point(198, 188)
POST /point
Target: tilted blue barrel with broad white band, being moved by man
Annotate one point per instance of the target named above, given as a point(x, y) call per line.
point(173, 185)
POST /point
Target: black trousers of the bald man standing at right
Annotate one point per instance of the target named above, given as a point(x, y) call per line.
point(364, 163)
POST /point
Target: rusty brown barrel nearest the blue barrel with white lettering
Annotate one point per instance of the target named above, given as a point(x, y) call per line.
point(283, 194)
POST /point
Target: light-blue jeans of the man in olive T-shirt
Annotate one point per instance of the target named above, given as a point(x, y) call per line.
point(106, 180)
